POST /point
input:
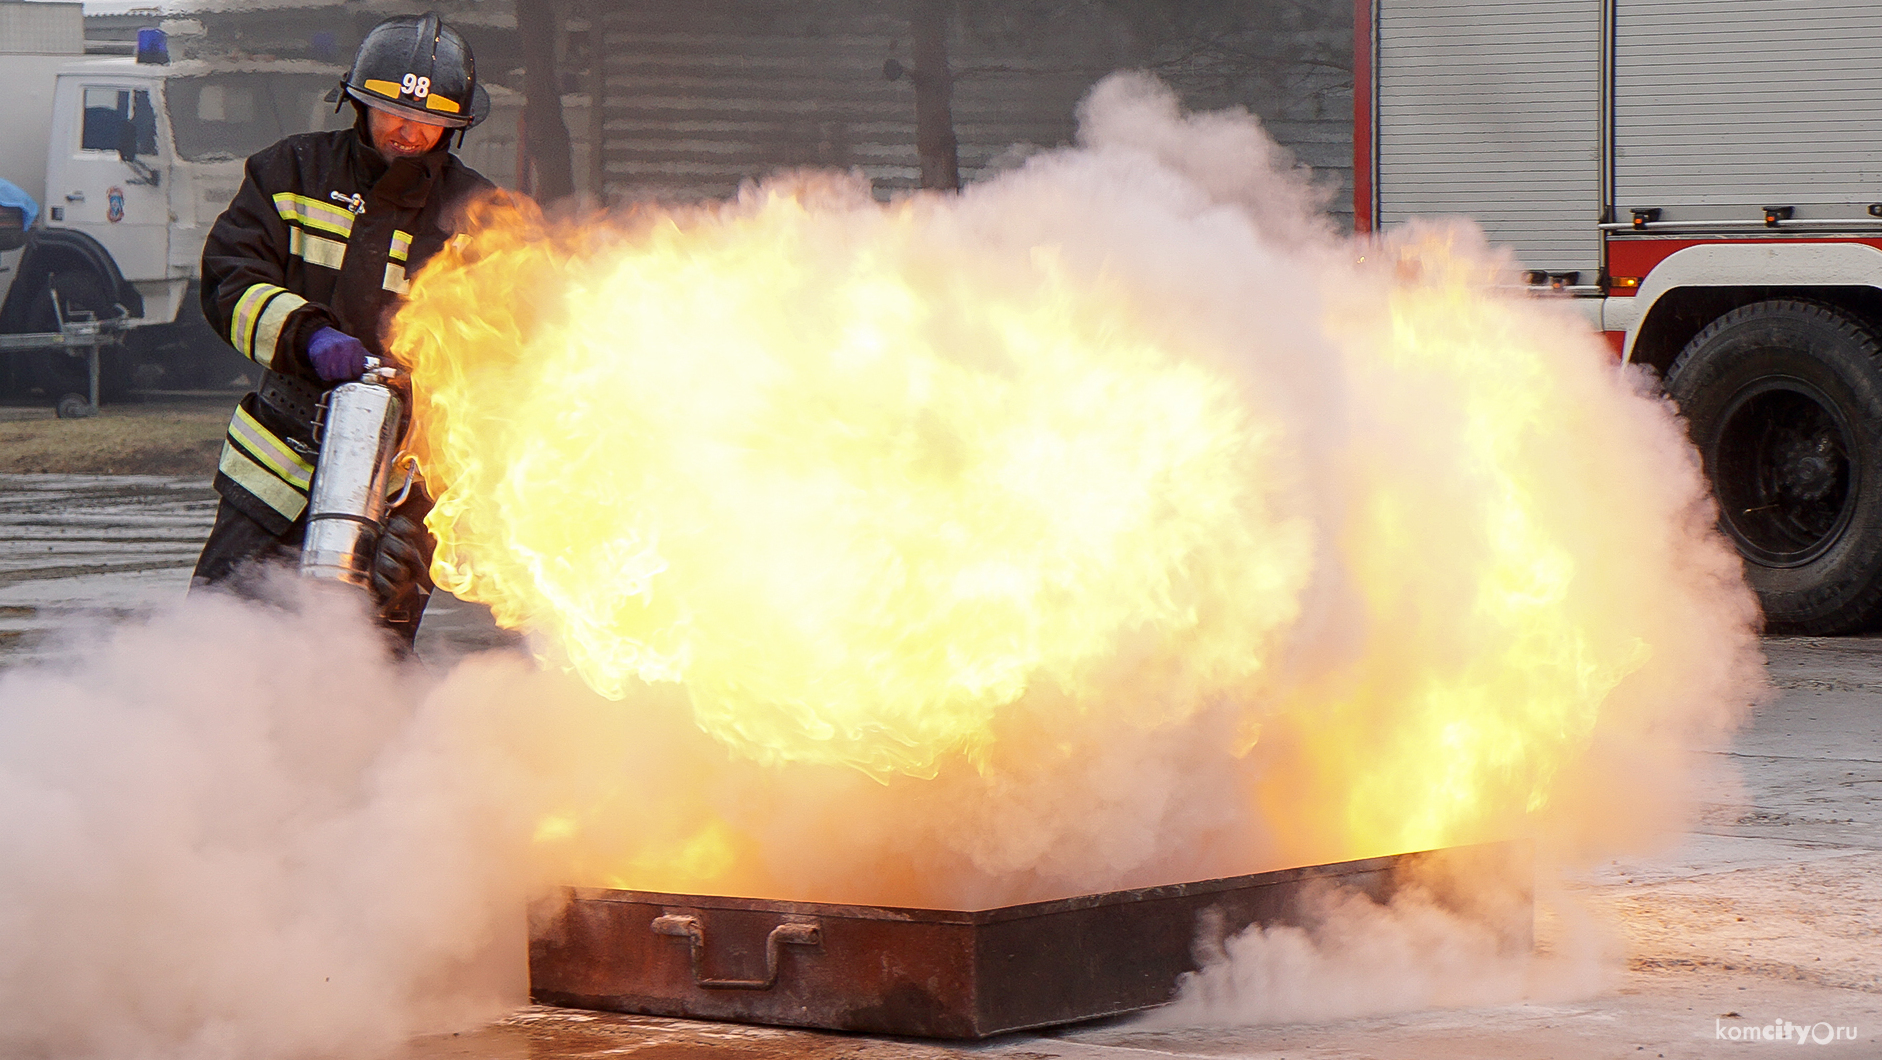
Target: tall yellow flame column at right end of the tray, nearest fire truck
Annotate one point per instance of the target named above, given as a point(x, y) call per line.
point(1493, 594)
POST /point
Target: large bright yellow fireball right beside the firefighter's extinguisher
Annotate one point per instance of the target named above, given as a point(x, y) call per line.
point(850, 496)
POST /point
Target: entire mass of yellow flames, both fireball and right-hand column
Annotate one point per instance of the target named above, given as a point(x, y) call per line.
point(880, 490)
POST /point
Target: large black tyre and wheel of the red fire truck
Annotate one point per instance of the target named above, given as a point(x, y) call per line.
point(1785, 404)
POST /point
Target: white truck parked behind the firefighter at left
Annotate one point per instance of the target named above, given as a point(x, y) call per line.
point(131, 159)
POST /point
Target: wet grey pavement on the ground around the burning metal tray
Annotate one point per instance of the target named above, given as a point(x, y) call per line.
point(1770, 910)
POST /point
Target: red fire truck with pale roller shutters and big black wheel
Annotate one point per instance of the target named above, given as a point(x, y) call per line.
point(1704, 180)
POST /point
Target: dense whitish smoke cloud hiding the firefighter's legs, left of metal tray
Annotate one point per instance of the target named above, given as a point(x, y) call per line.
point(240, 831)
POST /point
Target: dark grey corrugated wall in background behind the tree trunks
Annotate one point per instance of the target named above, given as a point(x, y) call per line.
point(697, 97)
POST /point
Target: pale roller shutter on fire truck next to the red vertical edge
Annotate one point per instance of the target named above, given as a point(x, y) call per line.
point(1491, 110)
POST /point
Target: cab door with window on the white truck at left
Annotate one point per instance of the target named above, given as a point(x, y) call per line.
point(106, 170)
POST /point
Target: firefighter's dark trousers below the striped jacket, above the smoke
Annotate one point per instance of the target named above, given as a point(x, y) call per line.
point(242, 556)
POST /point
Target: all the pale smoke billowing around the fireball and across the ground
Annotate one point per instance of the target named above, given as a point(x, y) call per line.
point(238, 831)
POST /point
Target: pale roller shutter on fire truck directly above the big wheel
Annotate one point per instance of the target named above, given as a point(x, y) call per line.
point(1729, 106)
